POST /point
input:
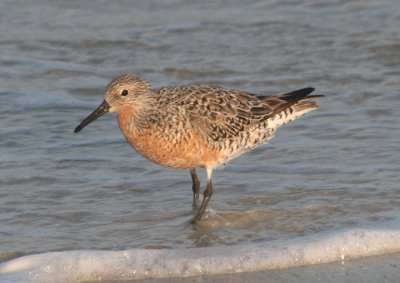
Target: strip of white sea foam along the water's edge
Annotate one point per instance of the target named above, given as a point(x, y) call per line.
point(77, 266)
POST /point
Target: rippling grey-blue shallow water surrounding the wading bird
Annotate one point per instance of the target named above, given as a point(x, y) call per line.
point(333, 169)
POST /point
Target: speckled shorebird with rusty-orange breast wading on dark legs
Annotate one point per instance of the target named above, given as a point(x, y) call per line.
point(191, 126)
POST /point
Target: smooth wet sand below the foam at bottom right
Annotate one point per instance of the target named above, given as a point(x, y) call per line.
point(384, 268)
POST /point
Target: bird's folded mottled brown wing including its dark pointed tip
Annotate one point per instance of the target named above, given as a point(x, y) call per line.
point(220, 113)
